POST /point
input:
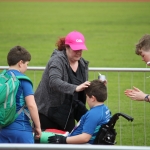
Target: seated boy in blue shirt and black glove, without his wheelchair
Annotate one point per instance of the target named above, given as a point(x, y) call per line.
point(87, 128)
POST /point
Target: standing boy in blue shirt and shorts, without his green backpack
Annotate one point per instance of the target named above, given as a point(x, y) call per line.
point(21, 131)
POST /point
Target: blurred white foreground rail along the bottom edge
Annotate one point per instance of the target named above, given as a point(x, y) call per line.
point(68, 147)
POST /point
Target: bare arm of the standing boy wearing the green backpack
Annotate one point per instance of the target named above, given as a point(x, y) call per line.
point(30, 102)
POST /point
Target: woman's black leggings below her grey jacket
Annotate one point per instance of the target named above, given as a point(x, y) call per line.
point(46, 123)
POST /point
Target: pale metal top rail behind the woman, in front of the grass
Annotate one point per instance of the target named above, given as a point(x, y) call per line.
point(95, 69)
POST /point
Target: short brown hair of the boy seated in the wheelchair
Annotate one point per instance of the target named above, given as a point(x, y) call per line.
point(98, 89)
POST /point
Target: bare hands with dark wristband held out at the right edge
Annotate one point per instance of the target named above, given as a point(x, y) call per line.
point(137, 94)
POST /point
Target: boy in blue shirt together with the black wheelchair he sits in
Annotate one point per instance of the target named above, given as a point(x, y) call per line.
point(96, 126)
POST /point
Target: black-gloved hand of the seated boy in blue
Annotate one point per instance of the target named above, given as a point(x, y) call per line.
point(57, 139)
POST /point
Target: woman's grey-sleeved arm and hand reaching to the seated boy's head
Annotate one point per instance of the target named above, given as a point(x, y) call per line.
point(56, 72)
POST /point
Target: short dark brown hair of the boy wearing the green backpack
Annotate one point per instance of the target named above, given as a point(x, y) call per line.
point(16, 54)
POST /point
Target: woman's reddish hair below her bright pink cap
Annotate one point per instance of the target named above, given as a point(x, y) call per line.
point(61, 44)
